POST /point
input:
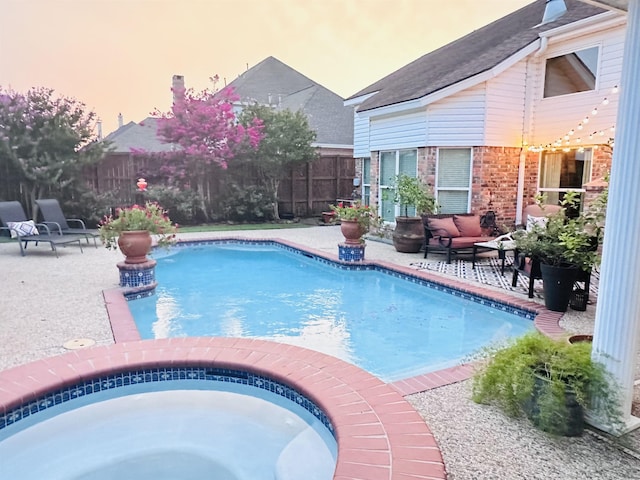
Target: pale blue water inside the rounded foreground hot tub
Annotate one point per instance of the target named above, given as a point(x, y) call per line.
point(247, 434)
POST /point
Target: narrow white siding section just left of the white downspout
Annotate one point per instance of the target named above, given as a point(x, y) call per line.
point(505, 107)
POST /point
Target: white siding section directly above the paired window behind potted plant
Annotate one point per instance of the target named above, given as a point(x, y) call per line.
point(398, 131)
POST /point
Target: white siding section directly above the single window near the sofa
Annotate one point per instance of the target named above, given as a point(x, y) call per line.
point(458, 120)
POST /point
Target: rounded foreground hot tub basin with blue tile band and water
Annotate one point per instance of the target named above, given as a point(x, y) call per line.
point(166, 423)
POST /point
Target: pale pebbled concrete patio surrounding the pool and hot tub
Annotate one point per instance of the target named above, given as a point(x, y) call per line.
point(49, 301)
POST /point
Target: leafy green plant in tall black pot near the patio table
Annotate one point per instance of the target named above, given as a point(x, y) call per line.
point(566, 249)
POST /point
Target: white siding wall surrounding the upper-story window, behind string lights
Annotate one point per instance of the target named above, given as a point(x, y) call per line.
point(553, 117)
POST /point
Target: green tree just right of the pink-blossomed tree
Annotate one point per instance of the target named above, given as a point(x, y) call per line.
point(286, 142)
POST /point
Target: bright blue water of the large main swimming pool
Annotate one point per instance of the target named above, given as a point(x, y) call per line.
point(389, 326)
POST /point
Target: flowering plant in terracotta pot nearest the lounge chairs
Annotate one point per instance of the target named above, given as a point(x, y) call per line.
point(130, 229)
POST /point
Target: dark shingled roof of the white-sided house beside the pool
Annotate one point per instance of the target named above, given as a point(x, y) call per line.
point(470, 55)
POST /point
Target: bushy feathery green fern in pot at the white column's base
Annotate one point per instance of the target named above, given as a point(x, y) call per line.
point(551, 382)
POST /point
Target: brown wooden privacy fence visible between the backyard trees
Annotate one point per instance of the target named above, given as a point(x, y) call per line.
point(307, 191)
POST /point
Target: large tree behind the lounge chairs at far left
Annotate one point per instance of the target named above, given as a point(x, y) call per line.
point(45, 141)
